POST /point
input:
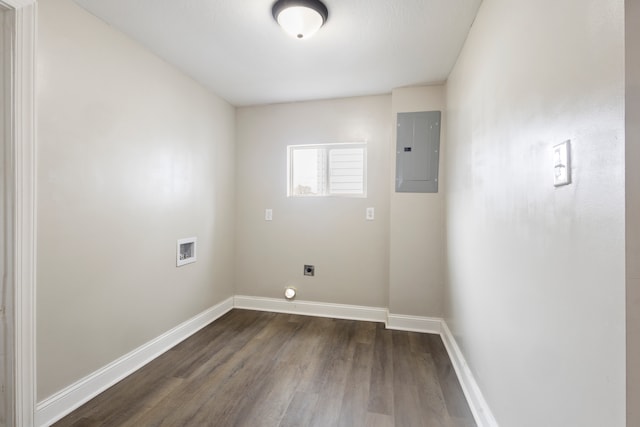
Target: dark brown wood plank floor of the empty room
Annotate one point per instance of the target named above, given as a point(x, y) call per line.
point(252, 368)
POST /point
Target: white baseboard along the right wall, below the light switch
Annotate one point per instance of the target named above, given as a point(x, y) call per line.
point(477, 404)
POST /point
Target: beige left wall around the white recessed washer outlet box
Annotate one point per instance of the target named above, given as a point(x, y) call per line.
point(132, 155)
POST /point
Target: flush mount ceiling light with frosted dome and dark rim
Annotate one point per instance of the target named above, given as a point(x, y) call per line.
point(300, 18)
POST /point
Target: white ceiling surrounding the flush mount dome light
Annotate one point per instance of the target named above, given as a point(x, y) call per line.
point(236, 48)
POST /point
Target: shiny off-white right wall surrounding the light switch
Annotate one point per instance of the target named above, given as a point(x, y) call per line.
point(536, 273)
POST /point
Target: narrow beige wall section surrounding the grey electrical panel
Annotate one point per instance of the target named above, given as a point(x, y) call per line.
point(416, 231)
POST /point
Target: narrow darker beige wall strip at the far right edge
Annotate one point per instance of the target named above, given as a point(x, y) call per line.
point(632, 152)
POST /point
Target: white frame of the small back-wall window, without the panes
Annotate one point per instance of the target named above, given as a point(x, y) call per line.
point(328, 147)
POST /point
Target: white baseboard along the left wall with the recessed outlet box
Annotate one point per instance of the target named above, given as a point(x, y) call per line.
point(62, 403)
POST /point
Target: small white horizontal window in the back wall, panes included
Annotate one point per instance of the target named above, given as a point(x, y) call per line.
point(327, 170)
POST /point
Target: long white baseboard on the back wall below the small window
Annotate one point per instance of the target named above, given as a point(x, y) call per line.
point(309, 308)
